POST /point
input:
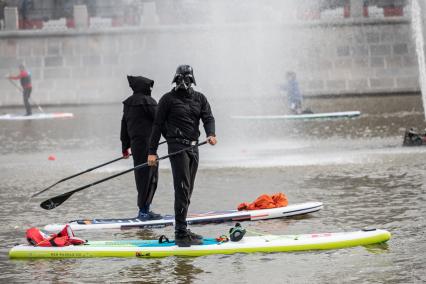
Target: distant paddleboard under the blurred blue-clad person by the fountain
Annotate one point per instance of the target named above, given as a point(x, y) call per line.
point(324, 115)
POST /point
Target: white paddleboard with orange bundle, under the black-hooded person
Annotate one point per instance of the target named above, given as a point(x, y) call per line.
point(200, 218)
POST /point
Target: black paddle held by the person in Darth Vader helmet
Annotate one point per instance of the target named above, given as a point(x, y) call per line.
point(58, 200)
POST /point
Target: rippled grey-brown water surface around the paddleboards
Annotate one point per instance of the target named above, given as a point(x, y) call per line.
point(356, 167)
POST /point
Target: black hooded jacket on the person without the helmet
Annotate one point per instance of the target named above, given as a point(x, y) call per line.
point(138, 113)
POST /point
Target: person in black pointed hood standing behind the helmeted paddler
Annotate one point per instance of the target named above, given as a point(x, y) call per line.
point(138, 115)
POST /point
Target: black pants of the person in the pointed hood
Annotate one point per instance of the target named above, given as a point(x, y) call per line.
point(147, 177)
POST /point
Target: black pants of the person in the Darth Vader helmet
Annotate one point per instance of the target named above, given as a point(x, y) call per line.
point(184, 170)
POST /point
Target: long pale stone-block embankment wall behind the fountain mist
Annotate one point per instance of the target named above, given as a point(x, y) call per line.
point(350, 56)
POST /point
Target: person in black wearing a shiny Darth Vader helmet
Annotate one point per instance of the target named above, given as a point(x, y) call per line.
point(181, 110)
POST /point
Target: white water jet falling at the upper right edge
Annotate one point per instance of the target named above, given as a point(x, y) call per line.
point(418, 24)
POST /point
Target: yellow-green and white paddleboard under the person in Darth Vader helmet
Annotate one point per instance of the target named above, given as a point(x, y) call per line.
point(153, 248)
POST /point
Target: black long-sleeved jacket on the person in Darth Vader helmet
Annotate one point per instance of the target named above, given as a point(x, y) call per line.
point(180, 113)
